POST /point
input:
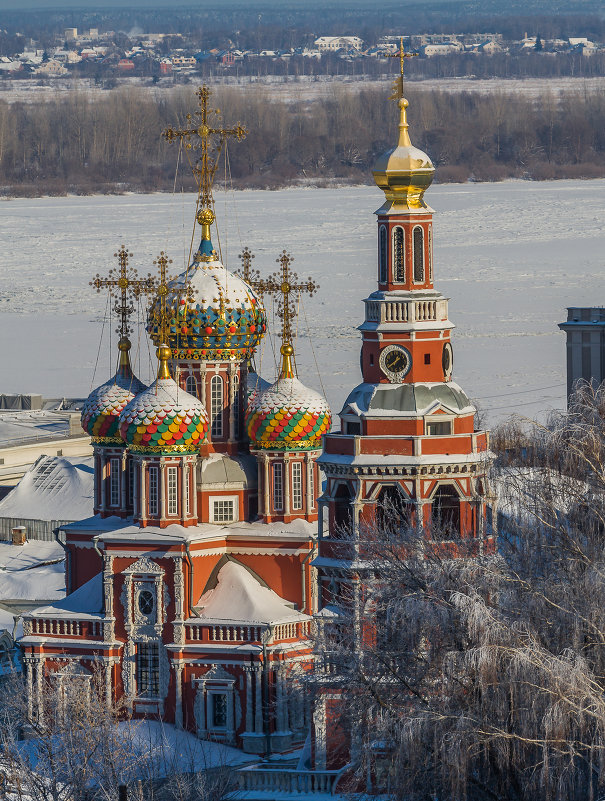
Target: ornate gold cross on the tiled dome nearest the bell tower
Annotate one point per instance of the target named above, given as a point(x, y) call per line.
point(283, 284)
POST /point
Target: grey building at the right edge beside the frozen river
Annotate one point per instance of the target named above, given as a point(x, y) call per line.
point(585, 329)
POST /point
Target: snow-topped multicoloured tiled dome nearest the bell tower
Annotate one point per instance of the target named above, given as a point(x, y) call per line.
point(287, 415)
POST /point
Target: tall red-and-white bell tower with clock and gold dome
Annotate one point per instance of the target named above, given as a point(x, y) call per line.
point(407, 438)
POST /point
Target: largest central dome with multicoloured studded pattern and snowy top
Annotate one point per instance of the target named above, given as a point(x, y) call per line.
point(224, 319)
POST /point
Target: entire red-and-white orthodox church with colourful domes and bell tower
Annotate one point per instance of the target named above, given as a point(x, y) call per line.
point(212, 545)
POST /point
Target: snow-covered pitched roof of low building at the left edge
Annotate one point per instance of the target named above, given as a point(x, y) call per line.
point(54, 488)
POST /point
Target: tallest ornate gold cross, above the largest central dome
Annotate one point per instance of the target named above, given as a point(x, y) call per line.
point(199, 136)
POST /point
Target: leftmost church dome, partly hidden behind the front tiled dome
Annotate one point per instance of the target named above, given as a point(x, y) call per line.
point(102, 408)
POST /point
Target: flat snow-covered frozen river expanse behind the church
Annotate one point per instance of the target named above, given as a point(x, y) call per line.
point(511, 257)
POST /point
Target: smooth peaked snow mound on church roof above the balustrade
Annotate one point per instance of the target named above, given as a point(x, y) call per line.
point(240, 598)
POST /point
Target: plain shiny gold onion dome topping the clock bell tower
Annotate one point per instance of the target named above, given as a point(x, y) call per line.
point(404, 173)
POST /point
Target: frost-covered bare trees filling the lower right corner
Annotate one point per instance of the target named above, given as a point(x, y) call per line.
point(485, 678)
